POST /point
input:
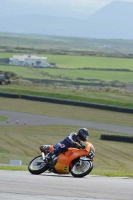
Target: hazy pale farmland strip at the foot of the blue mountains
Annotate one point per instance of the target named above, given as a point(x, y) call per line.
point(65, 43)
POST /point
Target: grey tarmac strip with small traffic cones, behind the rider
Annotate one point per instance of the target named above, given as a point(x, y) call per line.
point(20, 119)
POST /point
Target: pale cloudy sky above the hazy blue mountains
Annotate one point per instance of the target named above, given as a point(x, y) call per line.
point(80, 8)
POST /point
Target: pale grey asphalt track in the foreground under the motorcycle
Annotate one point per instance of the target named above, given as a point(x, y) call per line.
point(16, 185)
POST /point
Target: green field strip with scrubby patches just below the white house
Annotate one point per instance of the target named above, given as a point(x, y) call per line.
point(66, 74)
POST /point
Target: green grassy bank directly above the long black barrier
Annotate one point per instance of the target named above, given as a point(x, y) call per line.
point(106, 96)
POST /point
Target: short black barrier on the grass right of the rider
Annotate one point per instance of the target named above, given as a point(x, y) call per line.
point(117, 138)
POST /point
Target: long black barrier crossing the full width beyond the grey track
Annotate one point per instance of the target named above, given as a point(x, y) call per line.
point(67, 102)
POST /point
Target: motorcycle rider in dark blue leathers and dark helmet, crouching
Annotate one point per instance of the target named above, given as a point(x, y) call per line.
point(72, 140)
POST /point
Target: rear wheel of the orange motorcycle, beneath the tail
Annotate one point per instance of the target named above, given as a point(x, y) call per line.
point(37, 165)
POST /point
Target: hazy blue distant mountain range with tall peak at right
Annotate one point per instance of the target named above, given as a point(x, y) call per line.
point(112, 21)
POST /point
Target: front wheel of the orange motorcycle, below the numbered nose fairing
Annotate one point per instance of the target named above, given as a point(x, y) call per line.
point(82, 169)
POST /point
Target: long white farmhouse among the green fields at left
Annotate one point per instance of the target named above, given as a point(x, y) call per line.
point(29, 60)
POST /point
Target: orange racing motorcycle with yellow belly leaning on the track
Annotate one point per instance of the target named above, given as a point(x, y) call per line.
point(75, 161)
